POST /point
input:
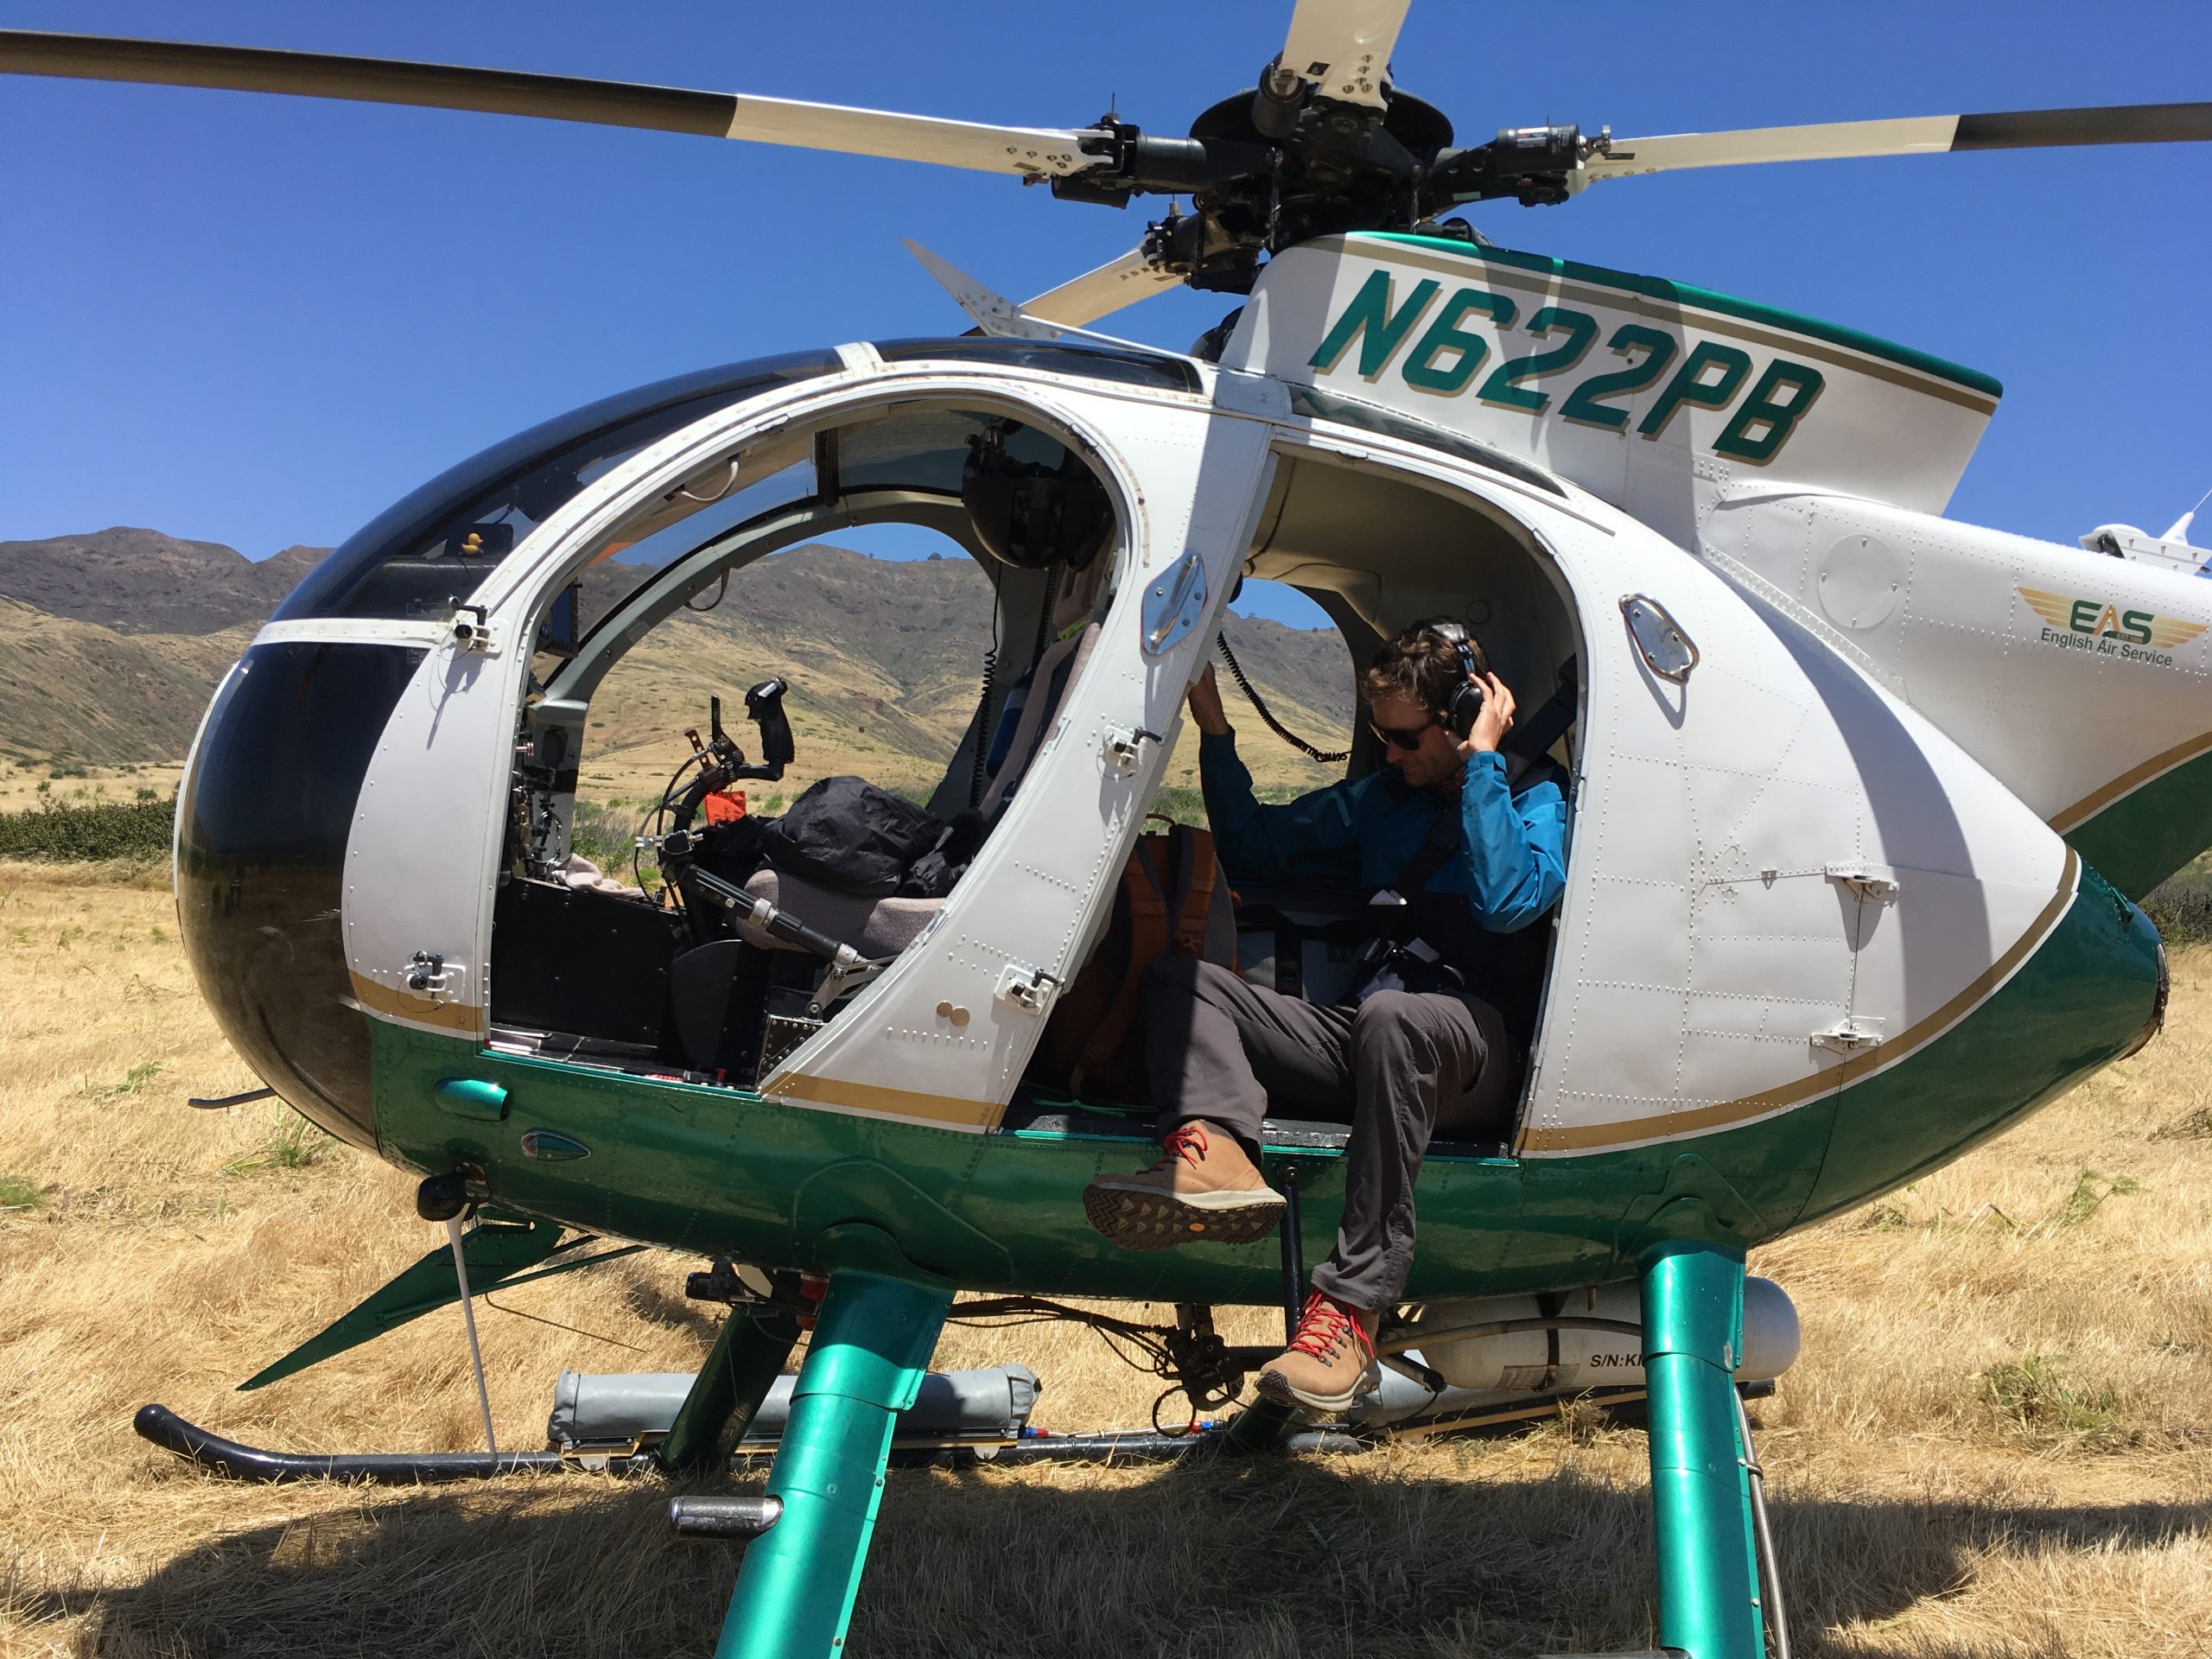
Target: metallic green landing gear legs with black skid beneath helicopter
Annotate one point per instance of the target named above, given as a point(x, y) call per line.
point(806, 1536)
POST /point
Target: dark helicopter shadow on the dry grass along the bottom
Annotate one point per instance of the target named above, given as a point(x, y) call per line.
point(1220, 1558)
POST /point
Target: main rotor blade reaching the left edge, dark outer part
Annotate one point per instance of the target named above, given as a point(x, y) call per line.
point(1027, 152)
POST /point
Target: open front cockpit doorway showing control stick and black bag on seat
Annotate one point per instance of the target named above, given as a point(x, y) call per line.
point(755, 760)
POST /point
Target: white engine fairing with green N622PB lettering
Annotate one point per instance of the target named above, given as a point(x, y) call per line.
point(1877, 426)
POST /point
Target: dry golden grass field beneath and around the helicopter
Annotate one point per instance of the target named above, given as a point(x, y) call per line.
point(1996, 1443)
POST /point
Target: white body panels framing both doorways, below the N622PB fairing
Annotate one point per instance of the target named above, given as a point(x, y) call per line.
point(1709, 937)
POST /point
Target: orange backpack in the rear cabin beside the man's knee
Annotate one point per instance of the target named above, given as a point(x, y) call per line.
point(1171, 899)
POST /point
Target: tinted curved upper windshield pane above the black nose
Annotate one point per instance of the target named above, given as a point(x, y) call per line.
point(426, 554)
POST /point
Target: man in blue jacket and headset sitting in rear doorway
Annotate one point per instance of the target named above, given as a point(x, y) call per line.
point(1421, 1045)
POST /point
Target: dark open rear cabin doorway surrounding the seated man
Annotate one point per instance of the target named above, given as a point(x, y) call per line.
point(1373, 552)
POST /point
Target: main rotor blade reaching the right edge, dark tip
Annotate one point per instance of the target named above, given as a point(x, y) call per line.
point(1912, 136)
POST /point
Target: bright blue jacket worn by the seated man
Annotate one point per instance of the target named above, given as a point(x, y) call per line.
point(1512, 859)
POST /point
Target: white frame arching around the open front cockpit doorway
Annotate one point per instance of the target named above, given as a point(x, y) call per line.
point(946, 1032)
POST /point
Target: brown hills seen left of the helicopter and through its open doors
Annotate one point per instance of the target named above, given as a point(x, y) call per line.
point(116, 640)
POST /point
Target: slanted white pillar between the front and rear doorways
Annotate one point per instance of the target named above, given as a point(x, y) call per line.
point(946, 1034)
